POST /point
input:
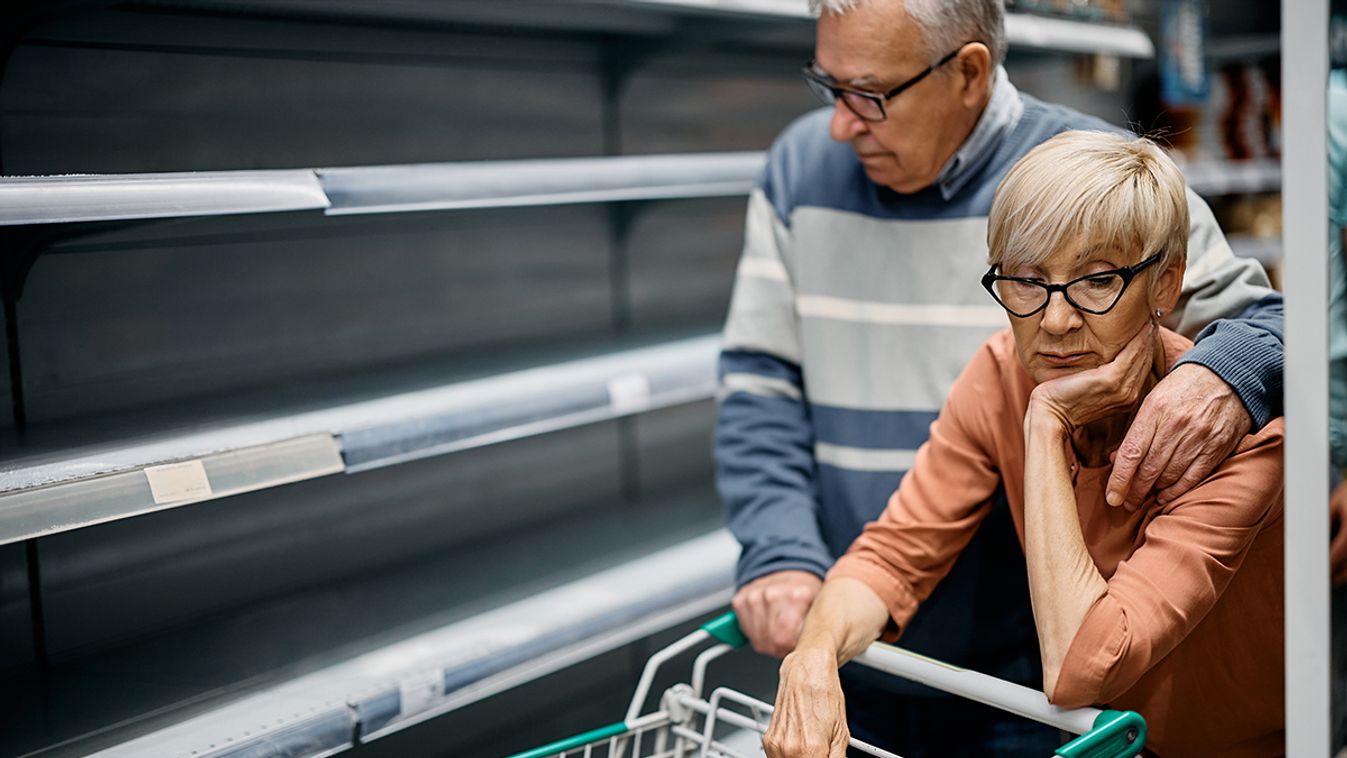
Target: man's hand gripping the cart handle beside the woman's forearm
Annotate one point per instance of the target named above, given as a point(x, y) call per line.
point(773, 609)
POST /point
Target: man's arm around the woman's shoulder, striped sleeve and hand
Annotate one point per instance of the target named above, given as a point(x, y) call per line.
point(1228, 386)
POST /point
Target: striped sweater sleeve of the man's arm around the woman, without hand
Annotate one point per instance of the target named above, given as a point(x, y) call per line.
point(1235, 317)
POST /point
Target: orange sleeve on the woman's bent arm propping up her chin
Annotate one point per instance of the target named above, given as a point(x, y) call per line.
point(1159, 596)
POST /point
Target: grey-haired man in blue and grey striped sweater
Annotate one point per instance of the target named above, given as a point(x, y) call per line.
point(855, 309)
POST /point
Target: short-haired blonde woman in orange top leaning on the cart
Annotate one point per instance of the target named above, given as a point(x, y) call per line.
point(1171, 611)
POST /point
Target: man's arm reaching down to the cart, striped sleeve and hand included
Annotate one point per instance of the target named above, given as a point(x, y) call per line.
point(764, 444)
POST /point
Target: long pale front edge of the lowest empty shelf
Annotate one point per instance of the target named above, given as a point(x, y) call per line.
point(451, 667)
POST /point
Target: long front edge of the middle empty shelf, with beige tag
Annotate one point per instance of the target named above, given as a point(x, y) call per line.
point(57, 484)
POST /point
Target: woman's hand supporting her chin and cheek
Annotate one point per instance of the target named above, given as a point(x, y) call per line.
point(1088, 397)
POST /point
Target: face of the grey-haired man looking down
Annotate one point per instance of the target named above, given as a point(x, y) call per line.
point(876, 48)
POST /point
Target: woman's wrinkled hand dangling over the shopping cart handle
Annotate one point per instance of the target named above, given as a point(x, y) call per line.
point(810, 717)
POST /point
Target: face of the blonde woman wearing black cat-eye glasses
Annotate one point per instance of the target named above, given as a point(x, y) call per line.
point(1062, 340)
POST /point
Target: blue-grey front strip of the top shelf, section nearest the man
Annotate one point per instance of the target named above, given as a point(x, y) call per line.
point(395, 189)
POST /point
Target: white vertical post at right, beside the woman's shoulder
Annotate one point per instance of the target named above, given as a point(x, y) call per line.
point(1305, 80)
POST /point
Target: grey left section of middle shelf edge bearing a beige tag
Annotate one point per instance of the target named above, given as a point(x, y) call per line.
point(84, 503)
